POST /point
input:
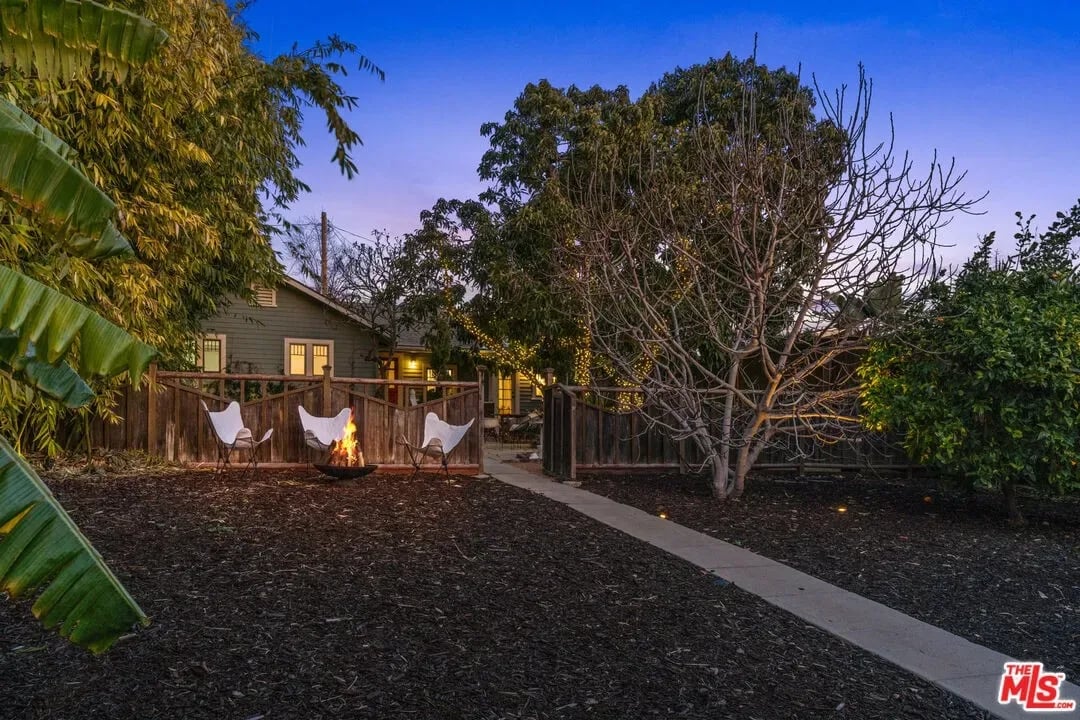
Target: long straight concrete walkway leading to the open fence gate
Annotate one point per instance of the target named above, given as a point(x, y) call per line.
point(963, 668)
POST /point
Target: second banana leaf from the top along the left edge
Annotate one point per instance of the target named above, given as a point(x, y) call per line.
point(36, 171)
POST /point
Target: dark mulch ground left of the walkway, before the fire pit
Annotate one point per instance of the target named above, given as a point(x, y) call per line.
point(290, 597)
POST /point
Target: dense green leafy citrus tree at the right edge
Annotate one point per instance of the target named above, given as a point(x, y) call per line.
point(984, 386)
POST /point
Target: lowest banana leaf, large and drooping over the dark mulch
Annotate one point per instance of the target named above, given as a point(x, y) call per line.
point(40, 547)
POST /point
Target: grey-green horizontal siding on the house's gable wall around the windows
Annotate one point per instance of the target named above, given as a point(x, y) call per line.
point(255, 337)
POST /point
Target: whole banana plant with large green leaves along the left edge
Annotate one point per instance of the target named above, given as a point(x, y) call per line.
point(42, 330)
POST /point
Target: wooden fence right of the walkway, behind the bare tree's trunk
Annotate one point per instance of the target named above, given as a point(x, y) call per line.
point(585, 436)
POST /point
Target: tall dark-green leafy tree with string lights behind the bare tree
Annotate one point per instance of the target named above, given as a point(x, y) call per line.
point(545, 151)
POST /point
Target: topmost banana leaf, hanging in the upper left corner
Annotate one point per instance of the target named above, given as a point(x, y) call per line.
point(60, 39)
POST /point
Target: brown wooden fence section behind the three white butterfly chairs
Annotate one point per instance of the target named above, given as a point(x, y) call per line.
point(165, 417)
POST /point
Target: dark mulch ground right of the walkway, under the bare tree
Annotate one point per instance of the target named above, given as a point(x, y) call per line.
point(946, 559)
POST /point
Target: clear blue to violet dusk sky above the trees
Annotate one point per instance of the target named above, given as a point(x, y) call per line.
point(996, 86)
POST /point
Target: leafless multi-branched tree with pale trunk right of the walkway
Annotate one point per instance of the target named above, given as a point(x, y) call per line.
point(735, 271)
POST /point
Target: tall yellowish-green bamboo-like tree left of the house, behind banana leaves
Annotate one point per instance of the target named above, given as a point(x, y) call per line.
point(199, 153)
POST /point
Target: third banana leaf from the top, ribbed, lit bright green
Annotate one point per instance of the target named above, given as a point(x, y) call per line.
point(53, 322)
